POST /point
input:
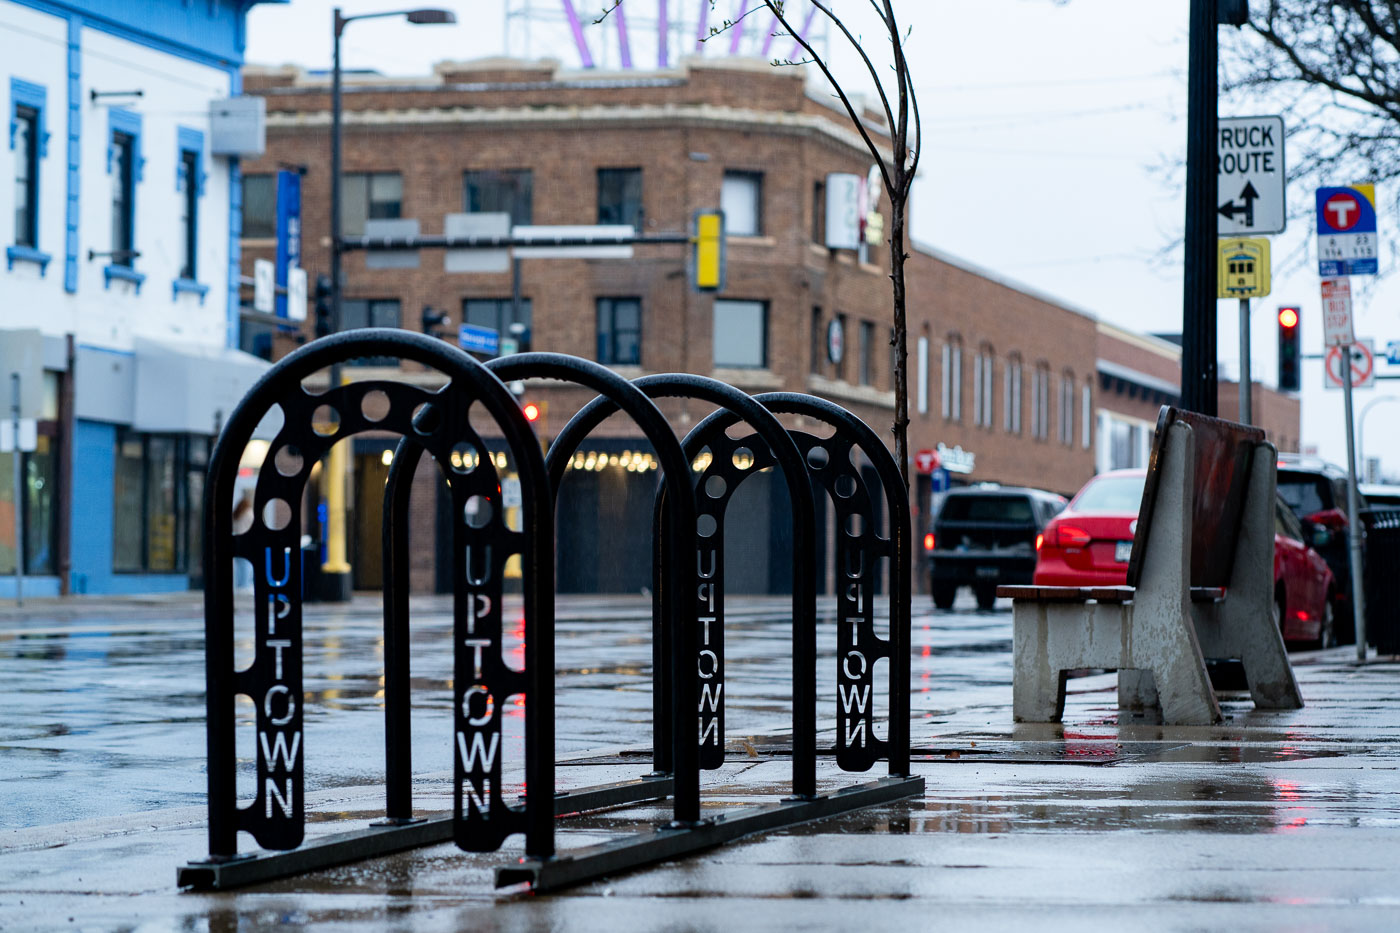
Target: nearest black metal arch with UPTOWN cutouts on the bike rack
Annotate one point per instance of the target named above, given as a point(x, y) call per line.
point(482, 682)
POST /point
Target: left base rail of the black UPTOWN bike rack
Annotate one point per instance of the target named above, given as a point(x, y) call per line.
point(384, 838)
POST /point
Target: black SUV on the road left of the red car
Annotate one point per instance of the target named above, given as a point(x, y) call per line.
point(983, 537)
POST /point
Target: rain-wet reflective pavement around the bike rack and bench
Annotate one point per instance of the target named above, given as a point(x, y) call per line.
point(1270, 822)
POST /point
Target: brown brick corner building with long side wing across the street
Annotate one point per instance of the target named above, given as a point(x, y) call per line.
point(685, 130)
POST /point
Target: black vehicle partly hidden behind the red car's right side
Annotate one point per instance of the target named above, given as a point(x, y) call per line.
point(1317, 492)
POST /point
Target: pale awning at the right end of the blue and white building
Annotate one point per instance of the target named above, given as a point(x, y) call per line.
point(190, 387)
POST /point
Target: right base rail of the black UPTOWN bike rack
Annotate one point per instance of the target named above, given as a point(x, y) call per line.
point(673, 843)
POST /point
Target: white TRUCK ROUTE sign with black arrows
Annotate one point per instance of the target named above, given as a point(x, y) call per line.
point(1251, 176)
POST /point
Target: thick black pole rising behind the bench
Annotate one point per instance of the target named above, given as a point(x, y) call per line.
point(1199, 378)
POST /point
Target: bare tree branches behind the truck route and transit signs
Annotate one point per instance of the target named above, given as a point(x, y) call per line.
point(1332, 68)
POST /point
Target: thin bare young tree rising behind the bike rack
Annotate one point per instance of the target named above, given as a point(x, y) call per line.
point(898, 165)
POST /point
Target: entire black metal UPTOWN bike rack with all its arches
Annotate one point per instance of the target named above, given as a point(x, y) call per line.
point(688, 618)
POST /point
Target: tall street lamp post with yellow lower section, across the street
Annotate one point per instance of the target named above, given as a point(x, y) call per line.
point(337, 569)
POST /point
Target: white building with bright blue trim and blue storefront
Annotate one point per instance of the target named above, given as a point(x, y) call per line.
point(120, 211)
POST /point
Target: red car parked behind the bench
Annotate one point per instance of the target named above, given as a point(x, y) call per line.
point(1091, 541)
